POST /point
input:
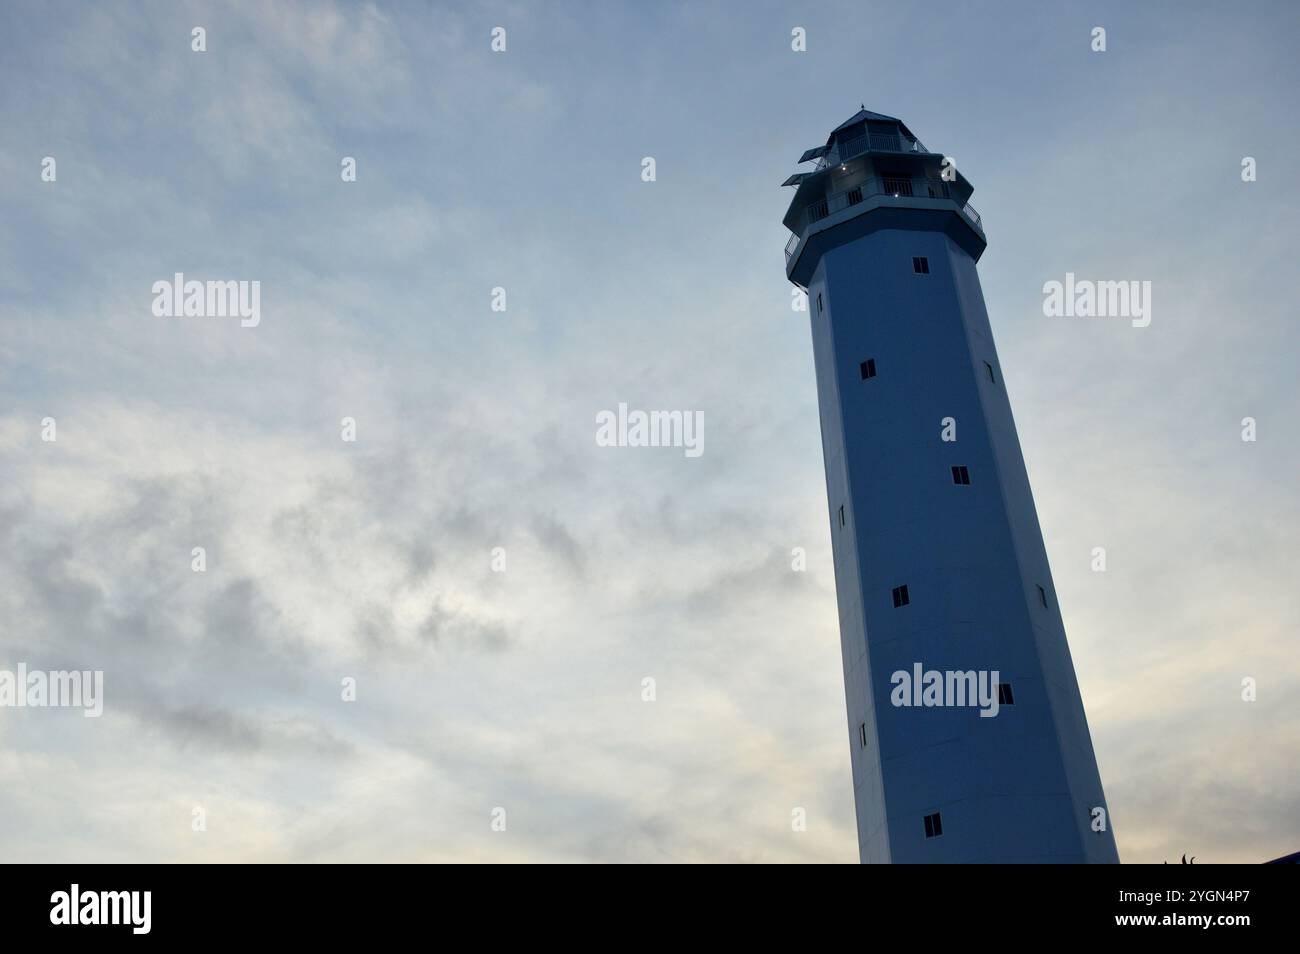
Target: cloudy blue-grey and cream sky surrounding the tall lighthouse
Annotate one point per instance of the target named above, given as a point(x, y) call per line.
point(495, 584)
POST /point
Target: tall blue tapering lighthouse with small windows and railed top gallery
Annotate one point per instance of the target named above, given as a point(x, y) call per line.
point(965, 722)
